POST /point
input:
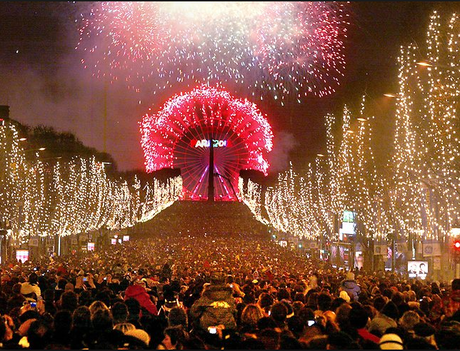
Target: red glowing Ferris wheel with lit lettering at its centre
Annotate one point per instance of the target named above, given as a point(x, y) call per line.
point(178, 136)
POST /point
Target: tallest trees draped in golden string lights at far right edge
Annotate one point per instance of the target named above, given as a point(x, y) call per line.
point(425, 189)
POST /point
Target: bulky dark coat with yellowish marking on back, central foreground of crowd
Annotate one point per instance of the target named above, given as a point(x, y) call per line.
point(216, 306)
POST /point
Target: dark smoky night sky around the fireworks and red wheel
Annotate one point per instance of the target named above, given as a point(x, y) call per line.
point(44, 83)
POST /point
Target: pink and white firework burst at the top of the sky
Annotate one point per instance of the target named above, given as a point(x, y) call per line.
point(285, 49)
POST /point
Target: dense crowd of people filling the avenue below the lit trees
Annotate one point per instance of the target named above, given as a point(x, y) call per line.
point(218, 291)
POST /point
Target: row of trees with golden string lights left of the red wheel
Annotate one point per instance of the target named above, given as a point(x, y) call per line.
point(49, 199)
